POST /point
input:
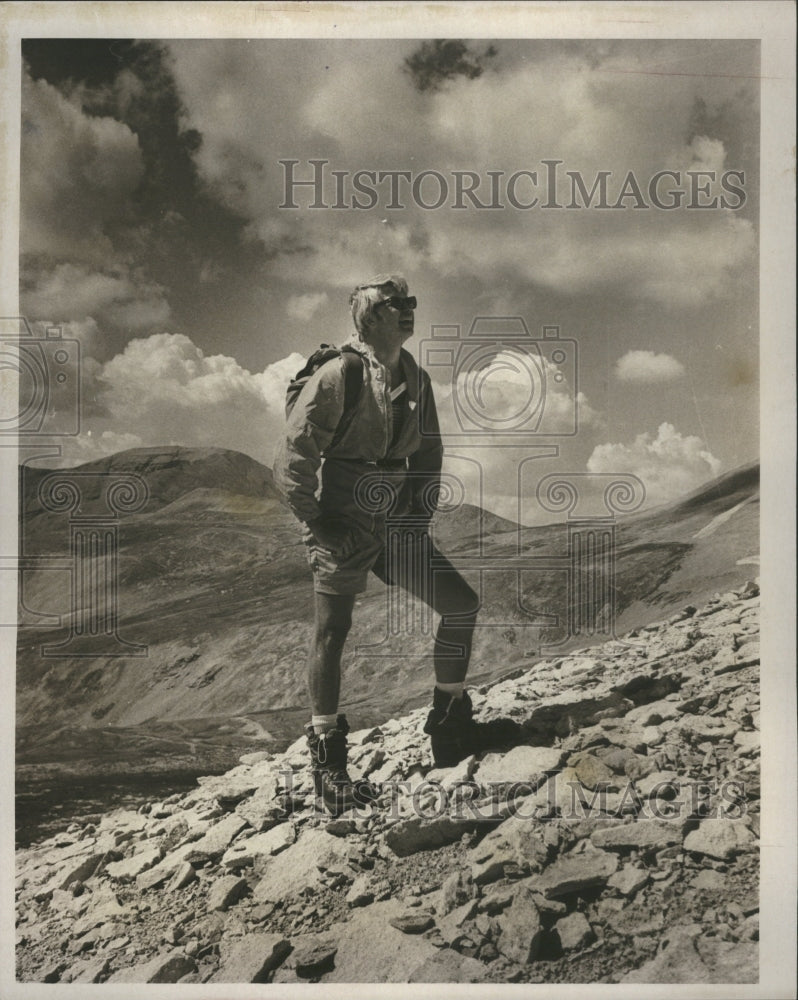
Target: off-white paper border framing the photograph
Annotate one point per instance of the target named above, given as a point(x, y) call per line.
point(773, 23)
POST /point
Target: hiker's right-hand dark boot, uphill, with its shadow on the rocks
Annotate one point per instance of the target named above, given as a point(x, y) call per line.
point(455, 734)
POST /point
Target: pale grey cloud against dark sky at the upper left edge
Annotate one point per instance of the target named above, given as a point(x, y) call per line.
point(80, 173)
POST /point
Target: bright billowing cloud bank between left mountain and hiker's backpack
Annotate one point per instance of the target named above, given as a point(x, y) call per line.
point(167, 391)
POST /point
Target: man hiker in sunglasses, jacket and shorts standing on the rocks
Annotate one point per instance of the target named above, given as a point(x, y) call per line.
point(381, 436)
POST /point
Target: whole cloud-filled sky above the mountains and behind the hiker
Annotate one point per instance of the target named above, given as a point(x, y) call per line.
point(156, 230)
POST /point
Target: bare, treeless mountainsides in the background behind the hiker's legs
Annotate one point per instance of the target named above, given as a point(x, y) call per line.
point(212, 577)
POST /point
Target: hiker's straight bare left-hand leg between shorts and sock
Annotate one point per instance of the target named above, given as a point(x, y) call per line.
point(331, 627)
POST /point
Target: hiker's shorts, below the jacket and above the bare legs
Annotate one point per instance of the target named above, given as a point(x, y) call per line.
point(345, 571)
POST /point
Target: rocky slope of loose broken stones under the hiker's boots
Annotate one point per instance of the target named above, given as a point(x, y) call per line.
point(615, 841)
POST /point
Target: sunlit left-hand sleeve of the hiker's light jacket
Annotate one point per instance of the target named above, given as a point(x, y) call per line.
point(309, 429)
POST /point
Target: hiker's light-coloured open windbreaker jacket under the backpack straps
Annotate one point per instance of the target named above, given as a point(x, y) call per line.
point(305, 448)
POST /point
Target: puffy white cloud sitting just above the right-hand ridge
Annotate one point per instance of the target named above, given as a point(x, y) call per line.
point(669, 464)
